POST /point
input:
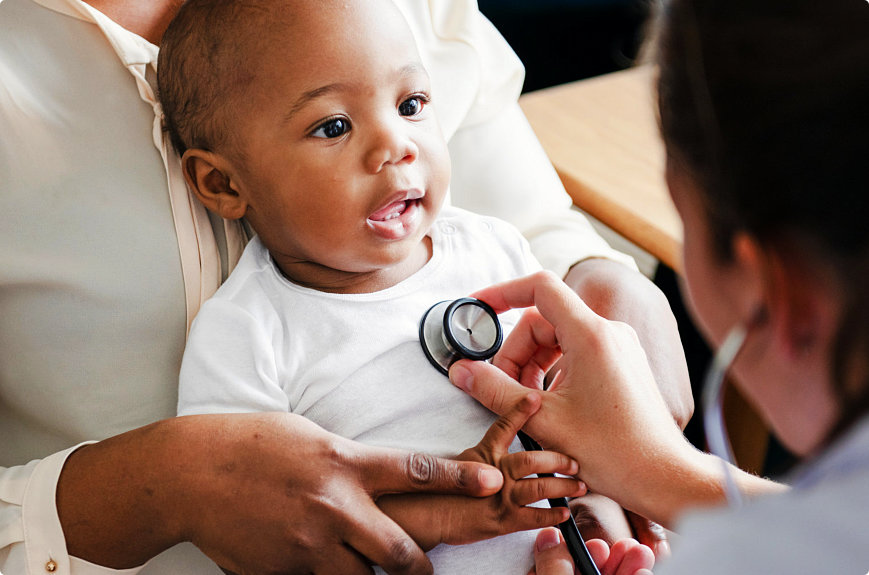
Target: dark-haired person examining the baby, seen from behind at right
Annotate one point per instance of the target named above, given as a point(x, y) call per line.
point(763, 112)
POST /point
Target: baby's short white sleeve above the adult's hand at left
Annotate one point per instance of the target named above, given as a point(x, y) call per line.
point(229, 364)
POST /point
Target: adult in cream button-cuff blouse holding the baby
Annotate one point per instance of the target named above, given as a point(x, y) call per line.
point(104, 264)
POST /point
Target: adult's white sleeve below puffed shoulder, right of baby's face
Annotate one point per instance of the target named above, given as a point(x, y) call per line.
point(500, 169)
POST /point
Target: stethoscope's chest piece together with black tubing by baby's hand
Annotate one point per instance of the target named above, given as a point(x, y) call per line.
point(469, 328)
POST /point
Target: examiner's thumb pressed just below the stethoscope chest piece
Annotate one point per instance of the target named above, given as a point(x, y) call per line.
point(493, 388)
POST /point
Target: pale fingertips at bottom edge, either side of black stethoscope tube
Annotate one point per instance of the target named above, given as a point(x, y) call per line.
point(626, 557)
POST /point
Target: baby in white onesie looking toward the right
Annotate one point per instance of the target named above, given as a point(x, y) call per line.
point(314, 121)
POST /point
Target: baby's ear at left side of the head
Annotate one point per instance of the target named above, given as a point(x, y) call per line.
point(207, 174)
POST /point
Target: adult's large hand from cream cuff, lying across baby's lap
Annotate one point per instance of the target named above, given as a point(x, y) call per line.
point(258, 493)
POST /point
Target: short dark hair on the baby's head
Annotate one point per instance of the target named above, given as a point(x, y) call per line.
point(204, 67)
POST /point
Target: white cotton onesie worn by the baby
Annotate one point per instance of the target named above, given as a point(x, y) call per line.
point(353, 363)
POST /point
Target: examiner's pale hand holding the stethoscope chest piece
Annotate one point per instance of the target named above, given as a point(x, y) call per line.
point(603, 407)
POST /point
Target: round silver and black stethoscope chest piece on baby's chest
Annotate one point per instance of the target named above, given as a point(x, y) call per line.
point(466, 328)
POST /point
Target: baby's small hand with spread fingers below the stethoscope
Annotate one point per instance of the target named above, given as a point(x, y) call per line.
point(505, 512)
